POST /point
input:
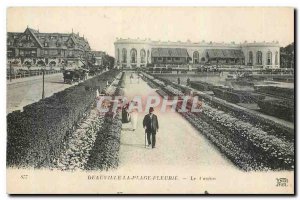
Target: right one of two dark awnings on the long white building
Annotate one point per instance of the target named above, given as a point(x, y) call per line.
point(225, 53)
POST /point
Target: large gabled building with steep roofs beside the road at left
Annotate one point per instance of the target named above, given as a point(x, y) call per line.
point(34, 49)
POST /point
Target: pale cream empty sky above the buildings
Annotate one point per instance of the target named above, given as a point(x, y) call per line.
point(102, 25)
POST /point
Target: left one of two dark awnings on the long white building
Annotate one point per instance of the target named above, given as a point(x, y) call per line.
point(169, 52)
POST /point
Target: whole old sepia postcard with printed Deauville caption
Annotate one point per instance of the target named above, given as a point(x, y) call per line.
point(150, 100)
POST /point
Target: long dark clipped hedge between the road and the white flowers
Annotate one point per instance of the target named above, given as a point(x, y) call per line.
point(35, 136)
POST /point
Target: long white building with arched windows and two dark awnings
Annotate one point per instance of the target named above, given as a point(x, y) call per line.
point(132, 53)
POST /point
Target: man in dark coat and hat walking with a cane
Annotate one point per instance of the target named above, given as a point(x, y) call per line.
point(150, 123)
